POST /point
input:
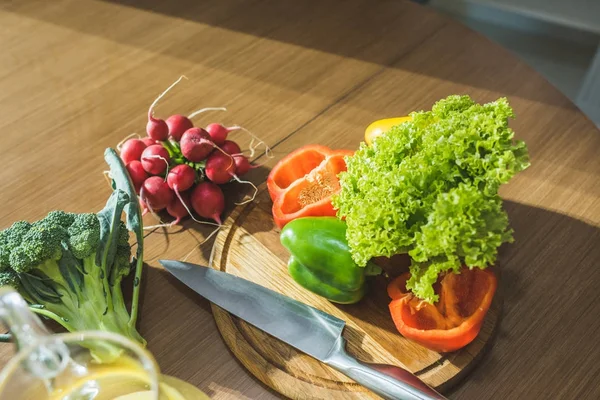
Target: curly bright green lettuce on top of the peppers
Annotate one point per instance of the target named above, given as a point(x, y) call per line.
point(429, 188)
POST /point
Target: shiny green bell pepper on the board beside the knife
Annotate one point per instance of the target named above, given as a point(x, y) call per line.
point(320, 259)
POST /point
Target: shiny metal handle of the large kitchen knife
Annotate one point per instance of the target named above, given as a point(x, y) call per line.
point(388, 381)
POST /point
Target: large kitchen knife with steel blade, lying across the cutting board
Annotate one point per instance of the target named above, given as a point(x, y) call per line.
point(306, 328)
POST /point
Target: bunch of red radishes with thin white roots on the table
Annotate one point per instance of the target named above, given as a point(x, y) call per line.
point(179, 166)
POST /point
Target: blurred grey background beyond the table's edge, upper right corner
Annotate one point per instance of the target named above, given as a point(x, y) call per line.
point(561, 54)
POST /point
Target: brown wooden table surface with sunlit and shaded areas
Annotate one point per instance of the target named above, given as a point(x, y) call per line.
point(77, 76)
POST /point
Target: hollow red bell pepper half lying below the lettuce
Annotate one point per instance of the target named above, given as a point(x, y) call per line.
point(455, 319)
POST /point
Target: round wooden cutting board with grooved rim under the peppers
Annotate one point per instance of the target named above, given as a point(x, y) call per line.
point(248, 246)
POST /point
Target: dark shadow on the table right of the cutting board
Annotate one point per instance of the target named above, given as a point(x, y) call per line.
point(548, 282)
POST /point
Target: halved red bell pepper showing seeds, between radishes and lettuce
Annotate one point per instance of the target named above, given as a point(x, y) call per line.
point(302, 183)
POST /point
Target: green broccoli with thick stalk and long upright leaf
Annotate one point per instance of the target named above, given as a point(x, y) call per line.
point(69, 267)
